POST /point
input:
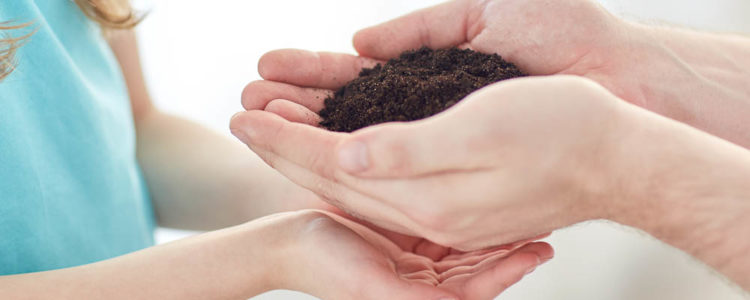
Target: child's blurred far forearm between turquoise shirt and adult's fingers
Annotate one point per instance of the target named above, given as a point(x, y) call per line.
point(201, 180)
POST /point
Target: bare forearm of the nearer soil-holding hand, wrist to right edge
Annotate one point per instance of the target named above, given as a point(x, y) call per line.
point(691, 190)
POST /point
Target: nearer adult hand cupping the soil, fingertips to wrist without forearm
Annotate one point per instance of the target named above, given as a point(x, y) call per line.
point(512, 161)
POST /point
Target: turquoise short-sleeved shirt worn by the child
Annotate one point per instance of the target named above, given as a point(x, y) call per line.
point(71, 191)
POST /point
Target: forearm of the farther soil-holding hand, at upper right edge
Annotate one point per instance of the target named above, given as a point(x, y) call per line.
point(700, 78)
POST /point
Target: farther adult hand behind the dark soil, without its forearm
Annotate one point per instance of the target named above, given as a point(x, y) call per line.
point(542, 37)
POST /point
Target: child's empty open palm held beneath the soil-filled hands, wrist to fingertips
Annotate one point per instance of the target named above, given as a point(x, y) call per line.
point(336, 258)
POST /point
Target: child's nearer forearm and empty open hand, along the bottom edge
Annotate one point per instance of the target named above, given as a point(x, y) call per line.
point(312, 250)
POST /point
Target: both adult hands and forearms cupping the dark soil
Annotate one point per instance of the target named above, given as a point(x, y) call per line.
point(532, 155)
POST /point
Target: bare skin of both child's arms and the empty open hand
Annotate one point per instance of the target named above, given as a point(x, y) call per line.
point(308, 250)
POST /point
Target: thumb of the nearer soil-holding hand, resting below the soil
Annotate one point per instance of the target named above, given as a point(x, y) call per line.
point(447, 142)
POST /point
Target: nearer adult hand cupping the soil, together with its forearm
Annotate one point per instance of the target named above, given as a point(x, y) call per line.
point(523, 157)
